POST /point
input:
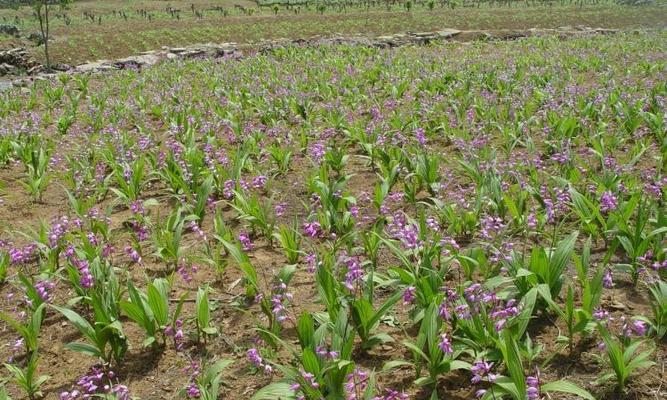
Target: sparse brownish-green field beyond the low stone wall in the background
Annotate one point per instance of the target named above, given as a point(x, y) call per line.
point(91, 30)
